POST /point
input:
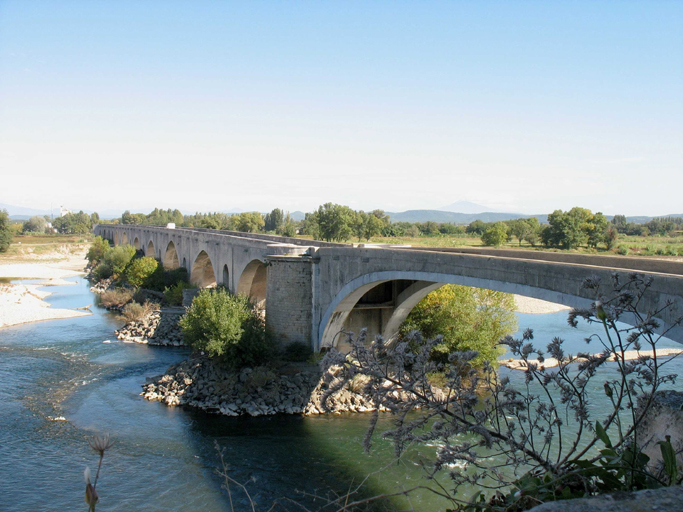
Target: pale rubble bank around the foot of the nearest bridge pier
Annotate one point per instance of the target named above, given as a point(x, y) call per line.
point(290, 389)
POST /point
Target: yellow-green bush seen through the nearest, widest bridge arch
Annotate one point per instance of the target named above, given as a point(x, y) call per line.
point(467, 318)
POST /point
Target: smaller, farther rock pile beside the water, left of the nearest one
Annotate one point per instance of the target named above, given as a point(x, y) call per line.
point(160, 327)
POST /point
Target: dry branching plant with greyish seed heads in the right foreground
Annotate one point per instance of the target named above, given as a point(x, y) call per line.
point(514, 445)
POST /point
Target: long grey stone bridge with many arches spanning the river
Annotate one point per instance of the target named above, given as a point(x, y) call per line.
point(312, 290)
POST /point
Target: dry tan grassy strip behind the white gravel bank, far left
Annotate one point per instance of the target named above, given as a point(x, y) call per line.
point(44, 248)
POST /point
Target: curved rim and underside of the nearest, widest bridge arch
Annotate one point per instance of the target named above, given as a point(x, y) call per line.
point(338, 311)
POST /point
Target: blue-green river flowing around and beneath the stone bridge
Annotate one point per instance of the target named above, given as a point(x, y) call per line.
point(64, 380)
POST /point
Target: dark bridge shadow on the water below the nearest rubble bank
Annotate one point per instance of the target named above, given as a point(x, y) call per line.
point(296, 461)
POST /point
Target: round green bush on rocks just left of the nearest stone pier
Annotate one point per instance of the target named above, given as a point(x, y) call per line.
point(226, 326)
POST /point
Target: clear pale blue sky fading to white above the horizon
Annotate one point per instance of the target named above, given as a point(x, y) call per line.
point(519, 106)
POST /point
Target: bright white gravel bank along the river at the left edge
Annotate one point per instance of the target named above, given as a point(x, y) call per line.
point(23, 303)
